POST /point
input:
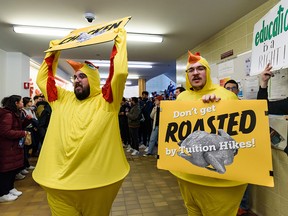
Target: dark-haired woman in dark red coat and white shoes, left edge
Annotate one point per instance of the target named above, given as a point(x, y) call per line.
point(12, 138)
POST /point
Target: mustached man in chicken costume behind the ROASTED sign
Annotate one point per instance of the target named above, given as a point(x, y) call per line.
point(205, 196)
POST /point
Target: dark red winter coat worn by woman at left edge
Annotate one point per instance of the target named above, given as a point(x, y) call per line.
point(11, 155)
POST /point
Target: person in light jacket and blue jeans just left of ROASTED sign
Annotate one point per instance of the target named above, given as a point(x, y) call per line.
point(154, 134)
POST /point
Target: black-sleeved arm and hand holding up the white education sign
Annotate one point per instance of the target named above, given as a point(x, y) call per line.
point(279, 107)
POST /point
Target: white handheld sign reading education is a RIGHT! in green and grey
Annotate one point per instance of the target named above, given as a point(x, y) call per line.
point(270, 40)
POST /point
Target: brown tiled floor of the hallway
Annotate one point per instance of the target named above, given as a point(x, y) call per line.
point(146, 191)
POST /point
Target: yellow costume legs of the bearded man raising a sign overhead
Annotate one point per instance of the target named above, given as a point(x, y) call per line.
point(89, 202)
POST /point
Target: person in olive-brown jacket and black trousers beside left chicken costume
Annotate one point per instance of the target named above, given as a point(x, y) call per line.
point(134, 123)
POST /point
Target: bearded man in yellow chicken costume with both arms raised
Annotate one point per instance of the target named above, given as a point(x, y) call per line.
point(82, 164)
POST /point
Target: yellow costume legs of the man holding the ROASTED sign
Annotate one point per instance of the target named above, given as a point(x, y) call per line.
point(211, 201)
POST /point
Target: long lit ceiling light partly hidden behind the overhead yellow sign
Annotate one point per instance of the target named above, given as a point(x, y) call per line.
point(51, 31)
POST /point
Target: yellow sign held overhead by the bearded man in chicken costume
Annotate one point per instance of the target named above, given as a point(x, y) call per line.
point(91, 35)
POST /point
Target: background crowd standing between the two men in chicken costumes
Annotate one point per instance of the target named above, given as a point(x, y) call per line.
point(139, 121)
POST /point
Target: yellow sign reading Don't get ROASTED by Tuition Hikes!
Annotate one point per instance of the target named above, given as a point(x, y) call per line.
point(226, 139)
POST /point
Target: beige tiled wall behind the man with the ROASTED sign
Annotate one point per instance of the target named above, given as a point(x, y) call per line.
point(265, 201)
